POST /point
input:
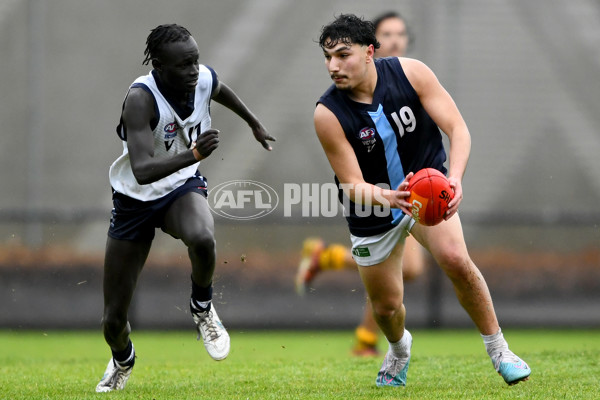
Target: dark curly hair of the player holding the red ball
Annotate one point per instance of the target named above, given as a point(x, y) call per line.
point(348, 29)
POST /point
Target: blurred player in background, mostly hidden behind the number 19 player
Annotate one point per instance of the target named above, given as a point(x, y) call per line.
point(393, 36)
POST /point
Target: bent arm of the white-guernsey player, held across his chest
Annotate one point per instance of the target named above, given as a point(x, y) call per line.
point(137, 114)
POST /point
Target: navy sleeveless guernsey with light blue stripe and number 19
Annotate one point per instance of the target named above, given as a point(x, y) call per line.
point(391, 137)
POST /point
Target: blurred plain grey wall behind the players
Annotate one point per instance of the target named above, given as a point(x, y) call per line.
point(523, 74)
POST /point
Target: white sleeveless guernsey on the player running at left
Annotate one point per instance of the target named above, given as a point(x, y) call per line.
point(172, 135)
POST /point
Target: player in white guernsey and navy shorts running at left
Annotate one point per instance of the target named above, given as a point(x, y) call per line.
point(166, 131)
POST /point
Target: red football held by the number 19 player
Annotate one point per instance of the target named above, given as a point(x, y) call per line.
point(430, 194)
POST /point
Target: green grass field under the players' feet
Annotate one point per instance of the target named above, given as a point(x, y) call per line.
point(296, 365)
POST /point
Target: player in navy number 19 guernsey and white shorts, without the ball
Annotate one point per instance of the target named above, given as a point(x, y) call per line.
point(368, 146)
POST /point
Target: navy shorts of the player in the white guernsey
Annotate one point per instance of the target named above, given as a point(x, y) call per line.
point(134, 219)
